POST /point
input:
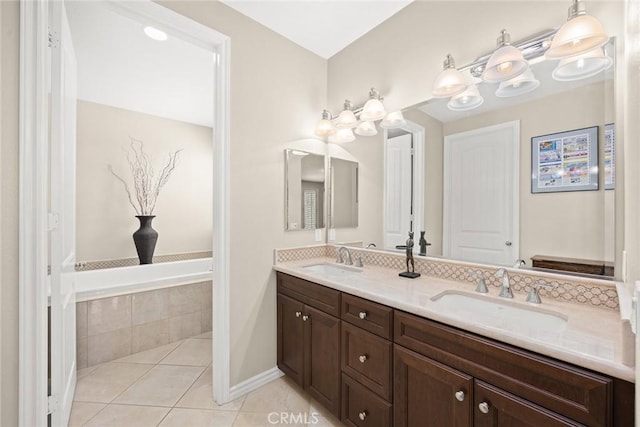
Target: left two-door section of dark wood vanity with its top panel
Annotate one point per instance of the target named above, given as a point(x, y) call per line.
point(309, 338)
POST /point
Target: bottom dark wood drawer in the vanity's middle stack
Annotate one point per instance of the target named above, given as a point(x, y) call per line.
point(361, 407)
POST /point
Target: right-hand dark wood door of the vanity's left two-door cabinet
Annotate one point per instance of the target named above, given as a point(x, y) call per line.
point(322, 358)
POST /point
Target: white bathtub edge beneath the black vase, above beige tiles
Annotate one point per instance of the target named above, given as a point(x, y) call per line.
point(94, 284)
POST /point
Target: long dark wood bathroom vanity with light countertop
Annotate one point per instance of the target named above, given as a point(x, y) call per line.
point(361, 349)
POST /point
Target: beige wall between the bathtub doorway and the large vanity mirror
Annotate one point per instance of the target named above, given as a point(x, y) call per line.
point(278, 90)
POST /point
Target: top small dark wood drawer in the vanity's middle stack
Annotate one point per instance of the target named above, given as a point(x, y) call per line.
point(371, 316)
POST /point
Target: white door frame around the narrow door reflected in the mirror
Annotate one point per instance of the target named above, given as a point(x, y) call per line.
point(419, 166)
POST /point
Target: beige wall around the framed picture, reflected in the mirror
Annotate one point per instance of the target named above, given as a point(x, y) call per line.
point(570, 224)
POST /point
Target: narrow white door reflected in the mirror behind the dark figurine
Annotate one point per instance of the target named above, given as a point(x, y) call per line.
point(398, 213)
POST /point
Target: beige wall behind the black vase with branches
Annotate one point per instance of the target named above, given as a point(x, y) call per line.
point(105, 219)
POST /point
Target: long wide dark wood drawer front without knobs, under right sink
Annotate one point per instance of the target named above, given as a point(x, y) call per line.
point(573, 392)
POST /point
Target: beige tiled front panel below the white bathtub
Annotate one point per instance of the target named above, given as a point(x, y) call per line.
point(115, 327)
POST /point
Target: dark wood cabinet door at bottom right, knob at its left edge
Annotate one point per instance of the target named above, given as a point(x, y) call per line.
point(495, 407)
